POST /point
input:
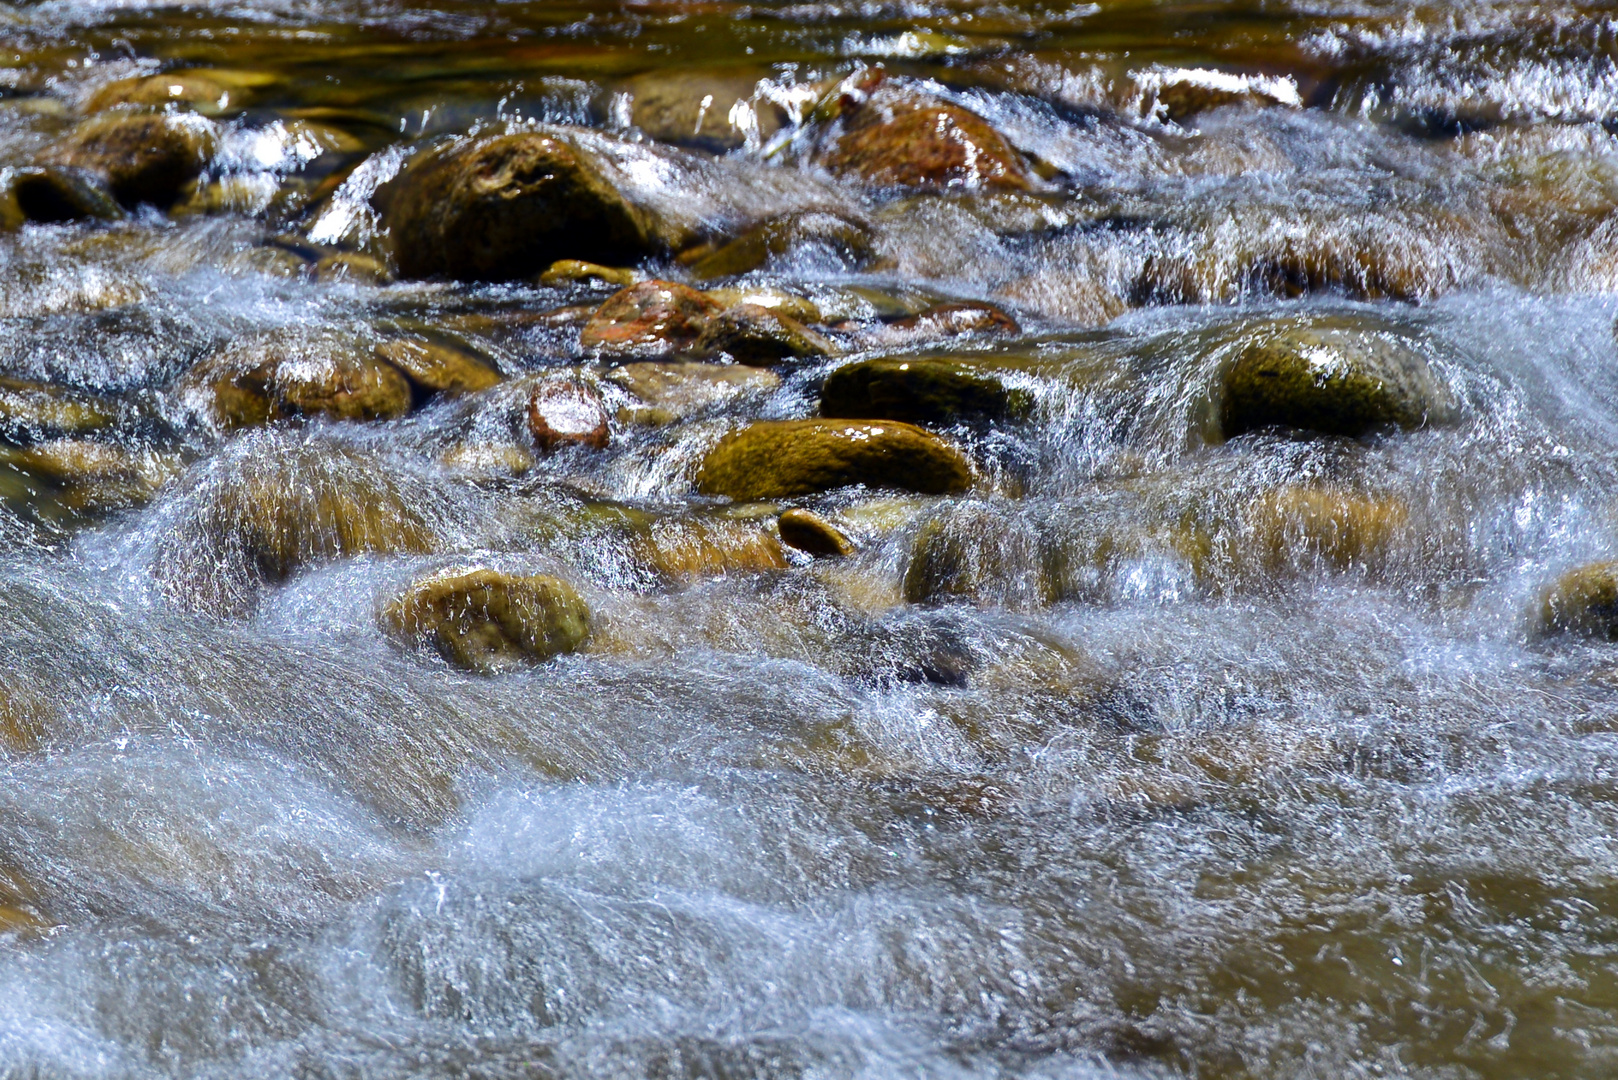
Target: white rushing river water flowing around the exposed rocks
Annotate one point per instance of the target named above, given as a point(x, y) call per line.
point(1198, 757)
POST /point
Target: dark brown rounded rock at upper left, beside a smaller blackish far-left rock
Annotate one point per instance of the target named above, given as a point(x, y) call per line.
point(145, 158)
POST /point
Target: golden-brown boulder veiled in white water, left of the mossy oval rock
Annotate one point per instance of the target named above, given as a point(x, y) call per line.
point(276, 504)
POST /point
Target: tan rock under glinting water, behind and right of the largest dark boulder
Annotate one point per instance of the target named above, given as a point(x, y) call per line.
point(708, 111)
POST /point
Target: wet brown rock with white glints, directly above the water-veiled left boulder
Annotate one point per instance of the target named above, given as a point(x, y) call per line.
point(294, 373)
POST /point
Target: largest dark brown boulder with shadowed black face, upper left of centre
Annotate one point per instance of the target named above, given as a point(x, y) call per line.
point(507, 206)
